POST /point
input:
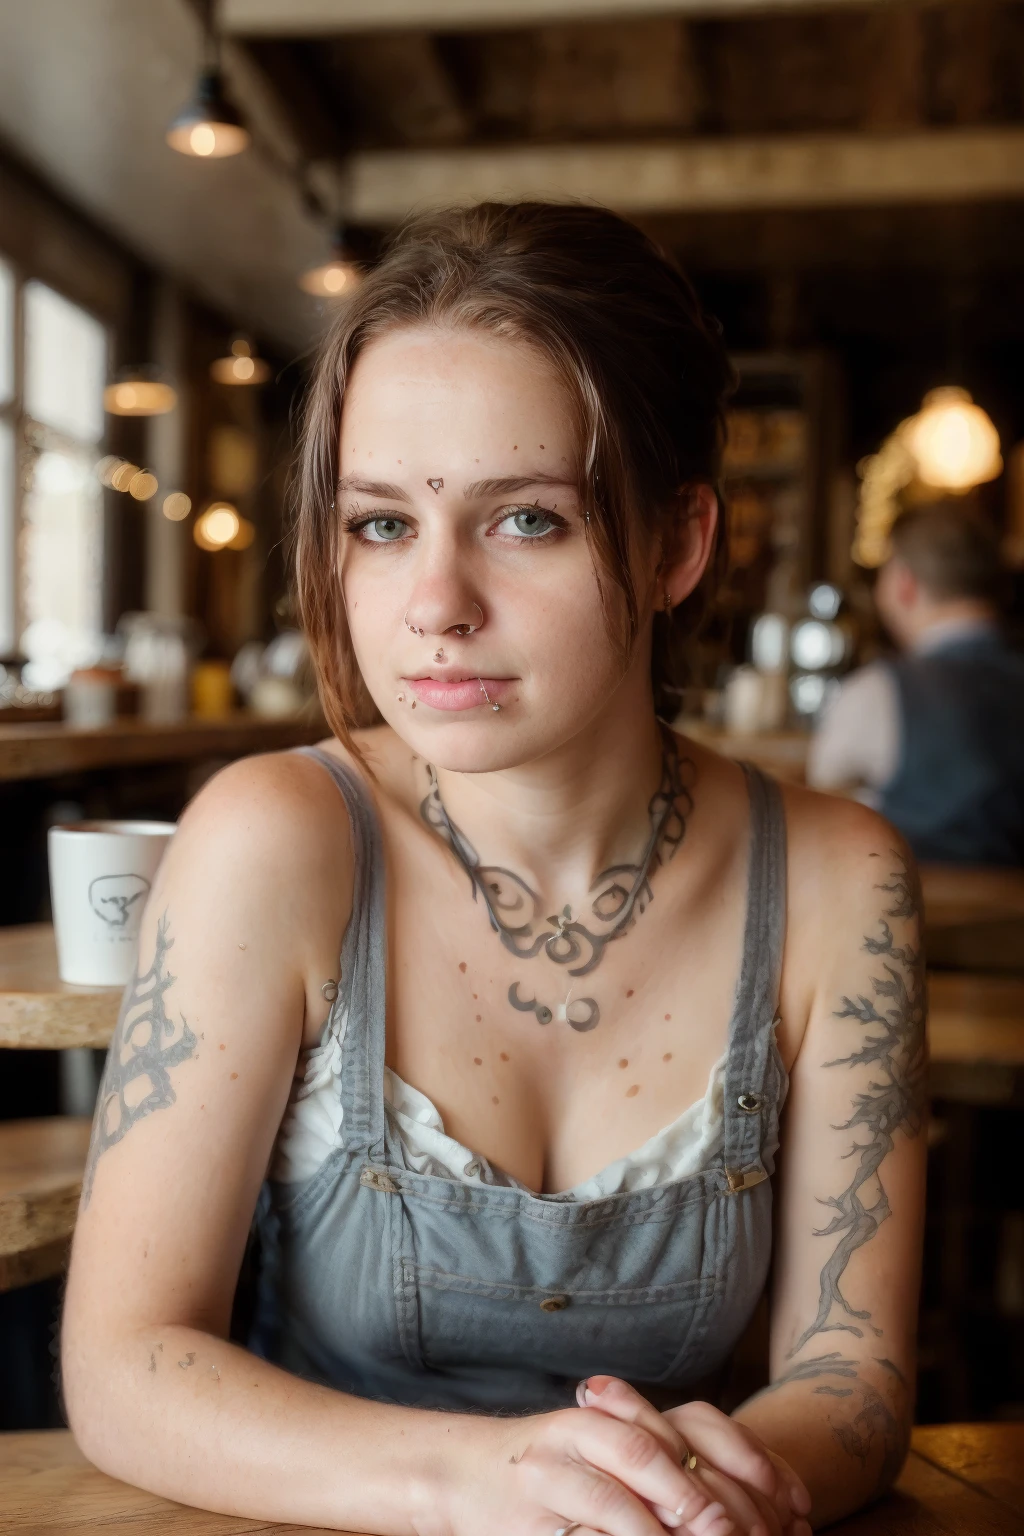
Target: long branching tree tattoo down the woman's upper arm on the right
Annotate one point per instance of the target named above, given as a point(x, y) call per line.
point(894, 1047)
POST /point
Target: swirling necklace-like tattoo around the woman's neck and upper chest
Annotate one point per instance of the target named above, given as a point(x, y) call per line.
point(619, 893)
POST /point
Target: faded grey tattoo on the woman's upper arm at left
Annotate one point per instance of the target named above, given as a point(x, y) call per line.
point(137, 1074)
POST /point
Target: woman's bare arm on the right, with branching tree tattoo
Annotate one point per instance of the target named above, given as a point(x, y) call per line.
point(853, 1193)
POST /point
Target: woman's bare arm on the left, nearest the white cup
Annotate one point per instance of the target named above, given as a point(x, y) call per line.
point(246, 916)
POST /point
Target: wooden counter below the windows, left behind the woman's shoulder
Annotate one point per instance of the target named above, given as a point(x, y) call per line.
point(38, 752)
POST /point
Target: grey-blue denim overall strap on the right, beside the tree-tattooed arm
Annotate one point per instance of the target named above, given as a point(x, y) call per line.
point(750, 1088)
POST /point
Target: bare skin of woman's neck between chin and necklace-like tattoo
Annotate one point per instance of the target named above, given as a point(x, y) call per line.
point(566, 818)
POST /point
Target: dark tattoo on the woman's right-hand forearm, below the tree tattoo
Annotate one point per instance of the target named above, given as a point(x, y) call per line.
point(871, 1428)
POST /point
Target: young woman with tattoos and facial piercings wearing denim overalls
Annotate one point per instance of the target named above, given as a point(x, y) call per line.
point(504, 996)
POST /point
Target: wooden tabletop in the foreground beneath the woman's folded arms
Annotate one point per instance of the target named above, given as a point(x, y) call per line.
point(962, 1480)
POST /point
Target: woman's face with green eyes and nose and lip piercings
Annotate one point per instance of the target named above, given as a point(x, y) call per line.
point(464, 561)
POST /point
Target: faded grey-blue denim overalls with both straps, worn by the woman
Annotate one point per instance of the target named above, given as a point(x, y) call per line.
point(426, 1291)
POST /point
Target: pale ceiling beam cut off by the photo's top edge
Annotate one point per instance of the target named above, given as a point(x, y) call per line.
point(325, 18)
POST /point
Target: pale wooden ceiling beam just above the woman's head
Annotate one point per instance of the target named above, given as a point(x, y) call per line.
point(695, 176)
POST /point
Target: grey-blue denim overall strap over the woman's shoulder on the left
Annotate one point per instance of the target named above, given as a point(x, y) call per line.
point(363, 981)
